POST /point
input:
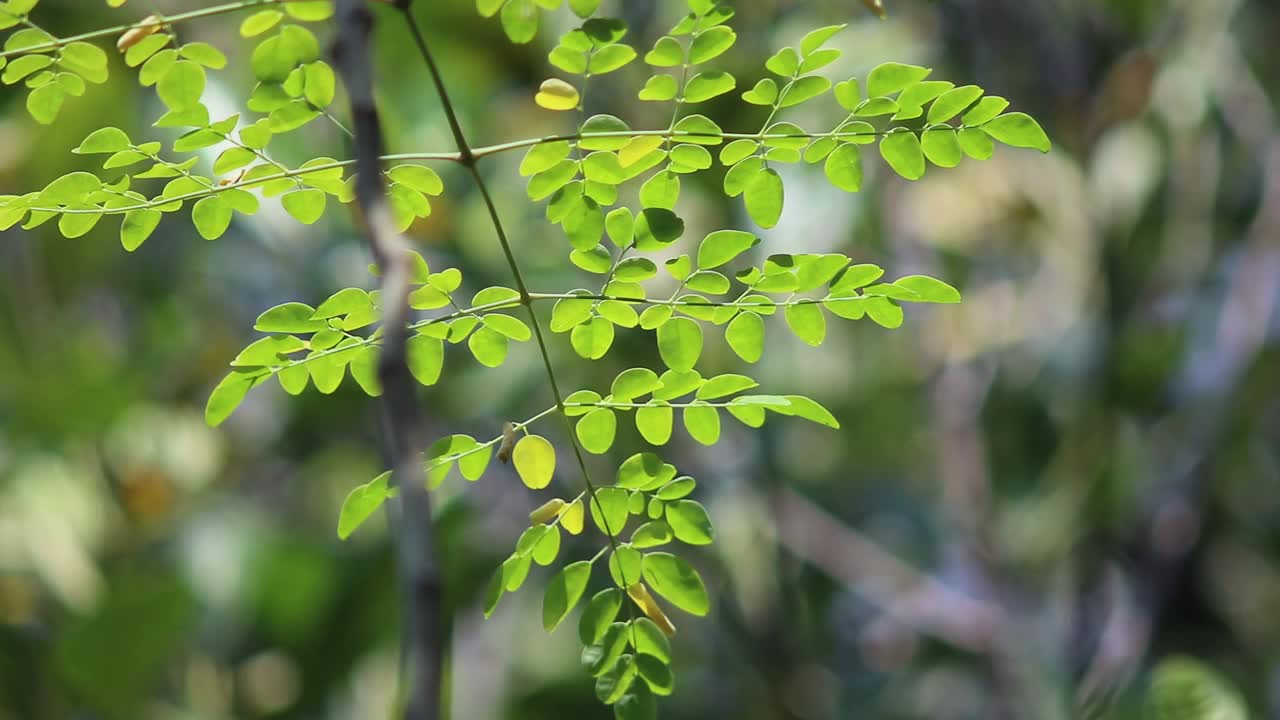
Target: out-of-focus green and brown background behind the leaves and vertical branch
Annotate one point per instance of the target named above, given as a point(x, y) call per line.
point(1035, 496)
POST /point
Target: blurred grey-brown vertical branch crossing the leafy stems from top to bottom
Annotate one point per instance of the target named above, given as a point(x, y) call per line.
point(423, 644)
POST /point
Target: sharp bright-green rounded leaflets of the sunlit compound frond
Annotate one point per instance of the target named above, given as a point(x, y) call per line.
point(720, 284)
